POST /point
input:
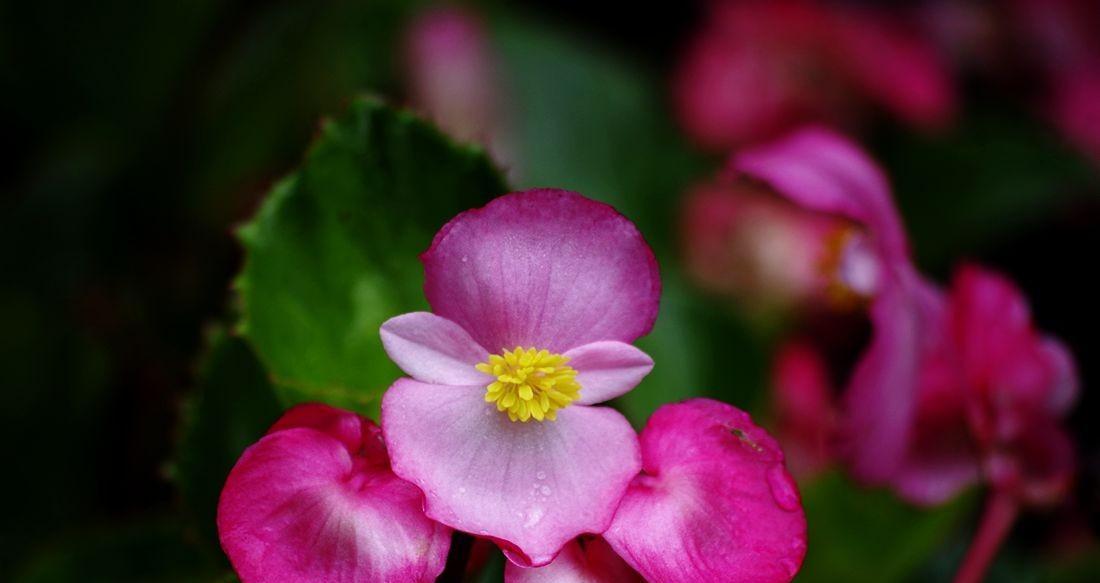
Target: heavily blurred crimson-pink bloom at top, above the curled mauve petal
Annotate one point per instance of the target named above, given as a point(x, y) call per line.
point(761, 69)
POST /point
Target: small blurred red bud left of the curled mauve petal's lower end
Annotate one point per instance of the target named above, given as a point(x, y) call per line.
point(805, 410)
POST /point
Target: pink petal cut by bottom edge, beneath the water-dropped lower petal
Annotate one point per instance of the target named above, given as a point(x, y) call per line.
point(585, 560)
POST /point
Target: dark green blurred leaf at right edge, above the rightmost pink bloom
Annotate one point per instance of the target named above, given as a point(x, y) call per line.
point(966, 192)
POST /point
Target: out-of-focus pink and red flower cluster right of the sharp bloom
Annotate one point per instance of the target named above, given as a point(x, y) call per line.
point(955, 387)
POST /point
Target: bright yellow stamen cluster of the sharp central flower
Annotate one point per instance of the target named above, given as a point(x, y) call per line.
point(531, 384)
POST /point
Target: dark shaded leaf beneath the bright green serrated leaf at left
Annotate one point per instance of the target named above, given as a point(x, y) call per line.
point(232, 409)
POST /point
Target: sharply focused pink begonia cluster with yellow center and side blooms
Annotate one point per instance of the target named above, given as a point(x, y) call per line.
point(499, 432)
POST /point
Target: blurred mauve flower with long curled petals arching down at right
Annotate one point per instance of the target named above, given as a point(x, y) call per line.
point(826, 173)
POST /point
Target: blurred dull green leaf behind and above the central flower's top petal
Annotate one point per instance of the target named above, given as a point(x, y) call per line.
point(590, 122)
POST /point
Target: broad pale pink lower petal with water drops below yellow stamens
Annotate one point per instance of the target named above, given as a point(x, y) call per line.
point(530, 487)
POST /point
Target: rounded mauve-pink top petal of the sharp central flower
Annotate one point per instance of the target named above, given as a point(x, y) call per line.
point(543, 269)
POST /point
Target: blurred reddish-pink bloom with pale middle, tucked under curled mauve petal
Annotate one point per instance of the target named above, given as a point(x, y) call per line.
point(743, 241)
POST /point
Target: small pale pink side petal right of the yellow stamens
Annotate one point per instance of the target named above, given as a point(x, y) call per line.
point(607, 370)
